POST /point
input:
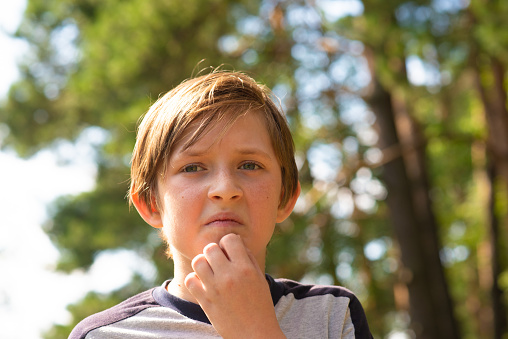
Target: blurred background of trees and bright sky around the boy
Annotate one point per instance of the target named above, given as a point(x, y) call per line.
point(400, 120)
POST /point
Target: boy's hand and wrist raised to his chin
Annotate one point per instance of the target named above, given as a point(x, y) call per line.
point(233, 291)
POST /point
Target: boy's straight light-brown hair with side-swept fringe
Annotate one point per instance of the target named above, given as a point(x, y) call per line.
point(220, 96)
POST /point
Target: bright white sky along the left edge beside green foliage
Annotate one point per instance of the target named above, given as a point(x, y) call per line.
point(32, 295)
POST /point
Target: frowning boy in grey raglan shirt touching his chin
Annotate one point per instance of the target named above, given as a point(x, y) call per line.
point(214, 169)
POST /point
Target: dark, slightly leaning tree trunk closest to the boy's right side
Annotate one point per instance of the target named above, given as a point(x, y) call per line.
point(413, 221)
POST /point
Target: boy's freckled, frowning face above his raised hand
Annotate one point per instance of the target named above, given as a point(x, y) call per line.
point(218, 186)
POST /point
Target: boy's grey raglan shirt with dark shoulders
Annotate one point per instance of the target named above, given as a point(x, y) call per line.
point(303, 311)
